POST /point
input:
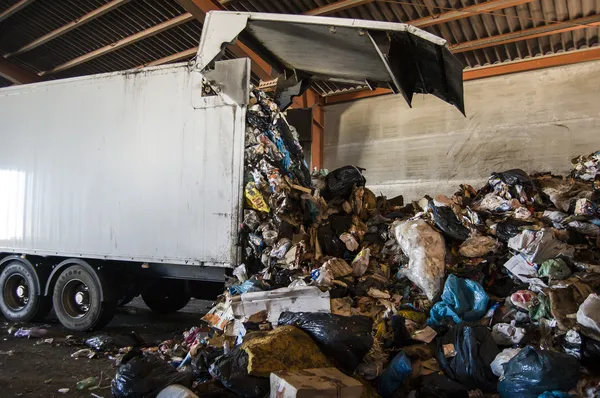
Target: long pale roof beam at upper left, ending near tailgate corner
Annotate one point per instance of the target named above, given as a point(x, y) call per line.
point(122, 43)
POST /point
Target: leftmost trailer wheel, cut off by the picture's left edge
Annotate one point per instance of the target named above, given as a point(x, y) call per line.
point(21, 300)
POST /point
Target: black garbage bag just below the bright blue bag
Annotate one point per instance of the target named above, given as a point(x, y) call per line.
point(475, 350)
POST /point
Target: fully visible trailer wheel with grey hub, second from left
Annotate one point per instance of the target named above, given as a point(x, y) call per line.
point(78, 299)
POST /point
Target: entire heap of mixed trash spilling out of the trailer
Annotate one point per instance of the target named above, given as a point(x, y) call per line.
point(488, 291)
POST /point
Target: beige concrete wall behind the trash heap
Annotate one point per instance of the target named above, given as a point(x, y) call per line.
point(535, 120)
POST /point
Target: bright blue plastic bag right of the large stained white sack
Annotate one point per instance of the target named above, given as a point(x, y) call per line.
point(462, 300)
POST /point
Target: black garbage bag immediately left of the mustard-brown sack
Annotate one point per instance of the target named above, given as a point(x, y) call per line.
point(232, 371)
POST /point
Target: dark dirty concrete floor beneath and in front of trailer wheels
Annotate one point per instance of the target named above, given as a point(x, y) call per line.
point(40, 370)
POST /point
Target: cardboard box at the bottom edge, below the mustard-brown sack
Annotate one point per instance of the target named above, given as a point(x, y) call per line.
point(314, 383)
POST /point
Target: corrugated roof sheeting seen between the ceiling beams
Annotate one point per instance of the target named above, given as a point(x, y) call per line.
point(43, 16)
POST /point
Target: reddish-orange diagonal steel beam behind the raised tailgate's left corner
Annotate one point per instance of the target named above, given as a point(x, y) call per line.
point(199, 8)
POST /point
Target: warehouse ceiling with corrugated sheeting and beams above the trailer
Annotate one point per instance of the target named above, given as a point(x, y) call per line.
point(52, 39)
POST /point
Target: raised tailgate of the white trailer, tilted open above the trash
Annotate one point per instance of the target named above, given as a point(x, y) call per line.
point(397, 56)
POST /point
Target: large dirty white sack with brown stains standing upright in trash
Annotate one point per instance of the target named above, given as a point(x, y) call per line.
point(426, 251)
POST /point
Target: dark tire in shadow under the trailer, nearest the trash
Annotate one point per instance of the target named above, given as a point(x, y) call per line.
point(166, 296)
